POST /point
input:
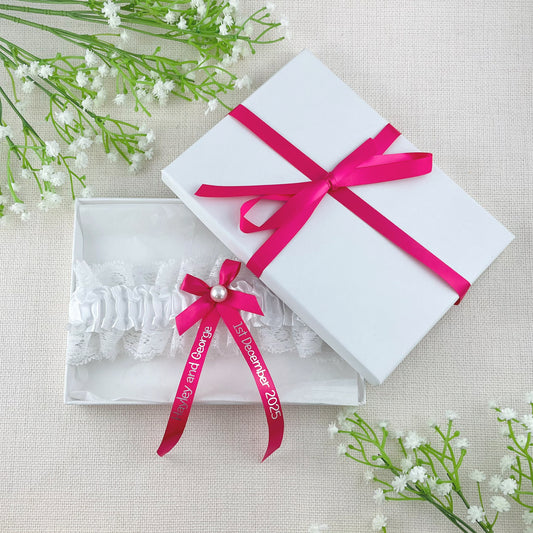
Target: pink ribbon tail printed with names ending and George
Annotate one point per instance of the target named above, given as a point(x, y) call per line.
point(188, 383)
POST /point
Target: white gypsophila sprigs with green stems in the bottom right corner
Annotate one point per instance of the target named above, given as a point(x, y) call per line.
point(408, 466)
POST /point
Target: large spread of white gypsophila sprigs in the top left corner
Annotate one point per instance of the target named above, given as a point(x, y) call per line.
point(85, 89)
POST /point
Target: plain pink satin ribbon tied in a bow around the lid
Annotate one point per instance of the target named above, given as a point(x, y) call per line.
point(365, 165)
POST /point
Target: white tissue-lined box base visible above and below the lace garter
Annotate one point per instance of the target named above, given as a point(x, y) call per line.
point(140, 230)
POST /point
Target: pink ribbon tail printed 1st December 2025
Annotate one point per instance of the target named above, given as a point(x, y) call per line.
point(262, 377)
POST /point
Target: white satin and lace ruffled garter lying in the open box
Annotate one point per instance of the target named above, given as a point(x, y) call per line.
point(120, 308)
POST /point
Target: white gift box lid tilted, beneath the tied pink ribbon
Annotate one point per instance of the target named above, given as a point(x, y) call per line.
point(369, 300)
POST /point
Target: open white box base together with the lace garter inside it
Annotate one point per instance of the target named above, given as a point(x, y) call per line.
point(129, 258)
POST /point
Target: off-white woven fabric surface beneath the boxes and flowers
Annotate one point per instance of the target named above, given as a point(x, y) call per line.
point(455, 77)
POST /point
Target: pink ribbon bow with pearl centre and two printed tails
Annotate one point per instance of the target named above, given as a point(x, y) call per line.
point(214, 303)
